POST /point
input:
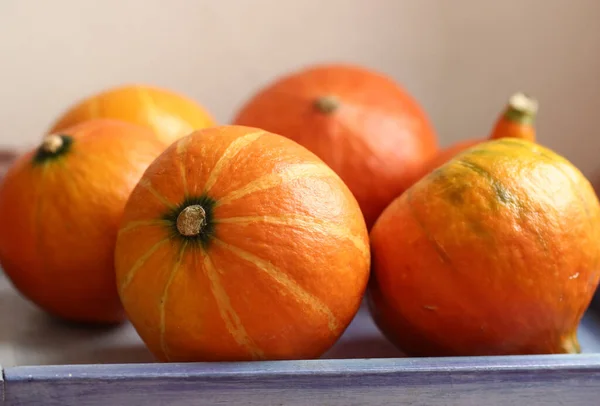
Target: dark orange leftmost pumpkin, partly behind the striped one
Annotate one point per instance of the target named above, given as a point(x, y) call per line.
point(59, 215)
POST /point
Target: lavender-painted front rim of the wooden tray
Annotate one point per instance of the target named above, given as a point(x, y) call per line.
point(534, 380)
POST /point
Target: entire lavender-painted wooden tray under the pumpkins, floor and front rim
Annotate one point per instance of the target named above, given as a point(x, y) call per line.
point(361, 369)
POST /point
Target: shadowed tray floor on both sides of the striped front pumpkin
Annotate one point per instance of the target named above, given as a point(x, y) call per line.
point(30, 337)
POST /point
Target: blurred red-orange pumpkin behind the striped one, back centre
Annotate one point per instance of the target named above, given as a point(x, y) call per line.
point(362, 124)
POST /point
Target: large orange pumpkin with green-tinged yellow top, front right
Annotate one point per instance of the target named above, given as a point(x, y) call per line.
point(494, 253)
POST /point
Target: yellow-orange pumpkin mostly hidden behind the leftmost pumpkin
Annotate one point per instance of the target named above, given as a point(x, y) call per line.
point(169, 114)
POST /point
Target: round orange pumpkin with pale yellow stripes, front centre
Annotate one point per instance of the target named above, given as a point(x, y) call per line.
point(239, 244)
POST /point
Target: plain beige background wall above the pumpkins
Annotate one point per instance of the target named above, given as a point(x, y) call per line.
point(460, 58)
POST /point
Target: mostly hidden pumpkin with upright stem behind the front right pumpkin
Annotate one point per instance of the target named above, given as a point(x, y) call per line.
point(517, 120)
